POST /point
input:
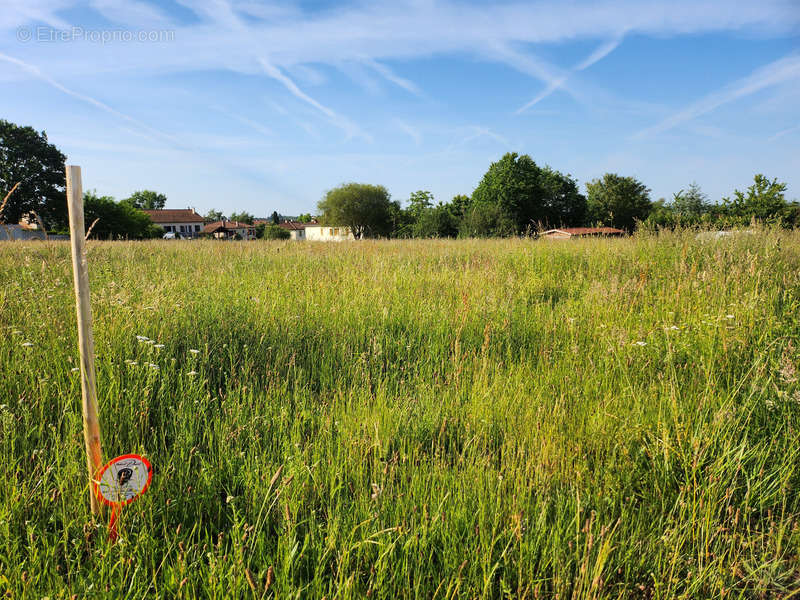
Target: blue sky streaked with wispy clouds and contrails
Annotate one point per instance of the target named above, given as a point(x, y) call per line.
point(247, 105)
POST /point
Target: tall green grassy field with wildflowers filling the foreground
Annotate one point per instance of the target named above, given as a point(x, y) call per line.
point(441, 419)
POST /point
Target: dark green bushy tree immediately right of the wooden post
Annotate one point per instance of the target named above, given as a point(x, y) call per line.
point(116, 220)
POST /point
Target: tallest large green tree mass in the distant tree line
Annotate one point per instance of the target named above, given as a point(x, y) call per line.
point(526, 195)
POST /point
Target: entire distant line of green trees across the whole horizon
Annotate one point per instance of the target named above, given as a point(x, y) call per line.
point(516, 196)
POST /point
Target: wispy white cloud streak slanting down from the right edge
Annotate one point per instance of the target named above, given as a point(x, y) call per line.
point(779, 71)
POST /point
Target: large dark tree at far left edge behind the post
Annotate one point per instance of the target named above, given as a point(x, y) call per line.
point(27, 158)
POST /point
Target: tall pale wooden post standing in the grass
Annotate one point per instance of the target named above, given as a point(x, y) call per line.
point(91, 426)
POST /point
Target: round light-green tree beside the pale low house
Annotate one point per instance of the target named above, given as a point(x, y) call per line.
point(366, 209)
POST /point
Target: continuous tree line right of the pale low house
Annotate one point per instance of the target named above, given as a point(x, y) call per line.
point(518, 197)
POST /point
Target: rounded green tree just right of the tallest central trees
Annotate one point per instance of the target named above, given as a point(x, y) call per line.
point(618, 201)
